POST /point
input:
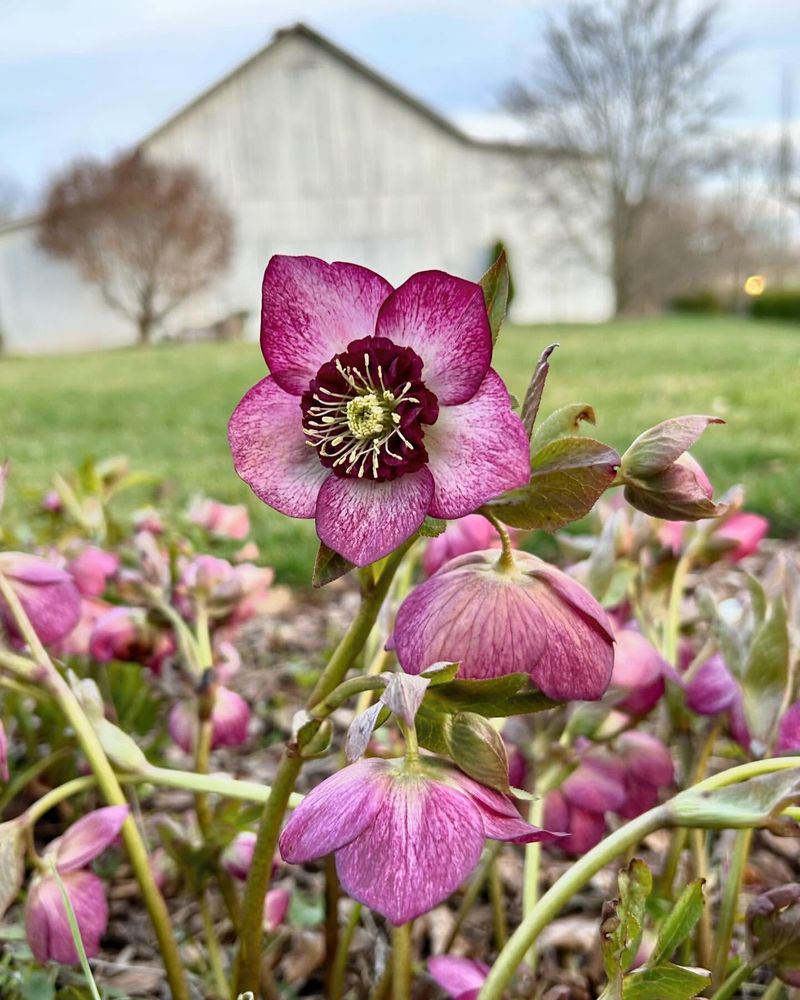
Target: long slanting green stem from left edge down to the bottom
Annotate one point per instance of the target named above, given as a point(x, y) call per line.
point(111, 791)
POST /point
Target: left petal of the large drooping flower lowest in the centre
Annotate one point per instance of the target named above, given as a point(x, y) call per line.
point(335, 812)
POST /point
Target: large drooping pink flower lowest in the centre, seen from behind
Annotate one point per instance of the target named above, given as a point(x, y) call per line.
point(403, 839)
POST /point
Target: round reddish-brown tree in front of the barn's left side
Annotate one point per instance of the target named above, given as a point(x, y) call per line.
point(147, 234)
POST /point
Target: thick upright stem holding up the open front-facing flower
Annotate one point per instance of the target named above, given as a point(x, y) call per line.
point(332, 676)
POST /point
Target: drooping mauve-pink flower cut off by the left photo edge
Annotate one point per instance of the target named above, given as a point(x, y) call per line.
point(47, 593)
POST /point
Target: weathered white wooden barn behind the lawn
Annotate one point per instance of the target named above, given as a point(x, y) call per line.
point(316, 153)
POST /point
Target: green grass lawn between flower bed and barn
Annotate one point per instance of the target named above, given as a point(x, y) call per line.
point(167, 408)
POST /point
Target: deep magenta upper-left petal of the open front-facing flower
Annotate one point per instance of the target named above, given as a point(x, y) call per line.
point(311, 310)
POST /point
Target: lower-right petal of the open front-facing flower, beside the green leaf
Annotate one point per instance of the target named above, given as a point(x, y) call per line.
point(477, 451)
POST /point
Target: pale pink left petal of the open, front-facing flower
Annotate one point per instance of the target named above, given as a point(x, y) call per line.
point(270, 452)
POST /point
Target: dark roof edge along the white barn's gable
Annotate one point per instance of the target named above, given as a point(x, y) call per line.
point(303, 31)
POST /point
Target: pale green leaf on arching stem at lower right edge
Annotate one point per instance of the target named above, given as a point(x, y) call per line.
point(757, 802)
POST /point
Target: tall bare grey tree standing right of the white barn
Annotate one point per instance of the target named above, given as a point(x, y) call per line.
point(626, 88)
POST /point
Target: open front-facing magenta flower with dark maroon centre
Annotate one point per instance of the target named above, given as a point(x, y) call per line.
point(381, 407)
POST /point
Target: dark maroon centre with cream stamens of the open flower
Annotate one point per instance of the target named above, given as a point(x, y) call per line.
point(365, 410)
